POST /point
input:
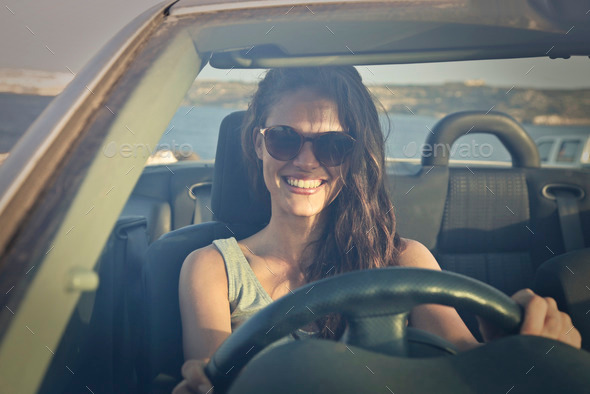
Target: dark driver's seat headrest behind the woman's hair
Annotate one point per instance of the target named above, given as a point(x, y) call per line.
point(231, 195)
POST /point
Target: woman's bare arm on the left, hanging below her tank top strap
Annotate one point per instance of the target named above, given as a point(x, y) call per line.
point(205, 313)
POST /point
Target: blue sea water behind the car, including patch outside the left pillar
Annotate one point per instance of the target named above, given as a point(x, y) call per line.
point(196, 129)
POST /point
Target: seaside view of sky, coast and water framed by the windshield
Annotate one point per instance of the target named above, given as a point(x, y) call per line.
point(548, 97)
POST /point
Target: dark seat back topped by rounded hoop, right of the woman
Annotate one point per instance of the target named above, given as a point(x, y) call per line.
point(485, 231)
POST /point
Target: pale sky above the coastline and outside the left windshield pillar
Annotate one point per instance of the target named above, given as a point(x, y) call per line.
point(63, 35)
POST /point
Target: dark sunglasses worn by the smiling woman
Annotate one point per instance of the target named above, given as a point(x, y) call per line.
point(284, 143)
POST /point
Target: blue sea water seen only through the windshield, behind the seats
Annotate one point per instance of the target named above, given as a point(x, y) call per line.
point(197, 128)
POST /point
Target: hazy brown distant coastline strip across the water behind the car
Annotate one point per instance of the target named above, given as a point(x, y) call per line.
point(553, 107)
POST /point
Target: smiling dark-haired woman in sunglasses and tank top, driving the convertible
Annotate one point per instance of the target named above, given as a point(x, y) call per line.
point(327, 217)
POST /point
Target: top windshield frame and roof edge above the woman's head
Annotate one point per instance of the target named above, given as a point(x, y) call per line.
point(385, 32)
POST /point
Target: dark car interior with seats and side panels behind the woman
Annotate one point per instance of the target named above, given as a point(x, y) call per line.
point(480, 222)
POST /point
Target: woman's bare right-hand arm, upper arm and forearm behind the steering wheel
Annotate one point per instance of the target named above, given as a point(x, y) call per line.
point(440, 320)
